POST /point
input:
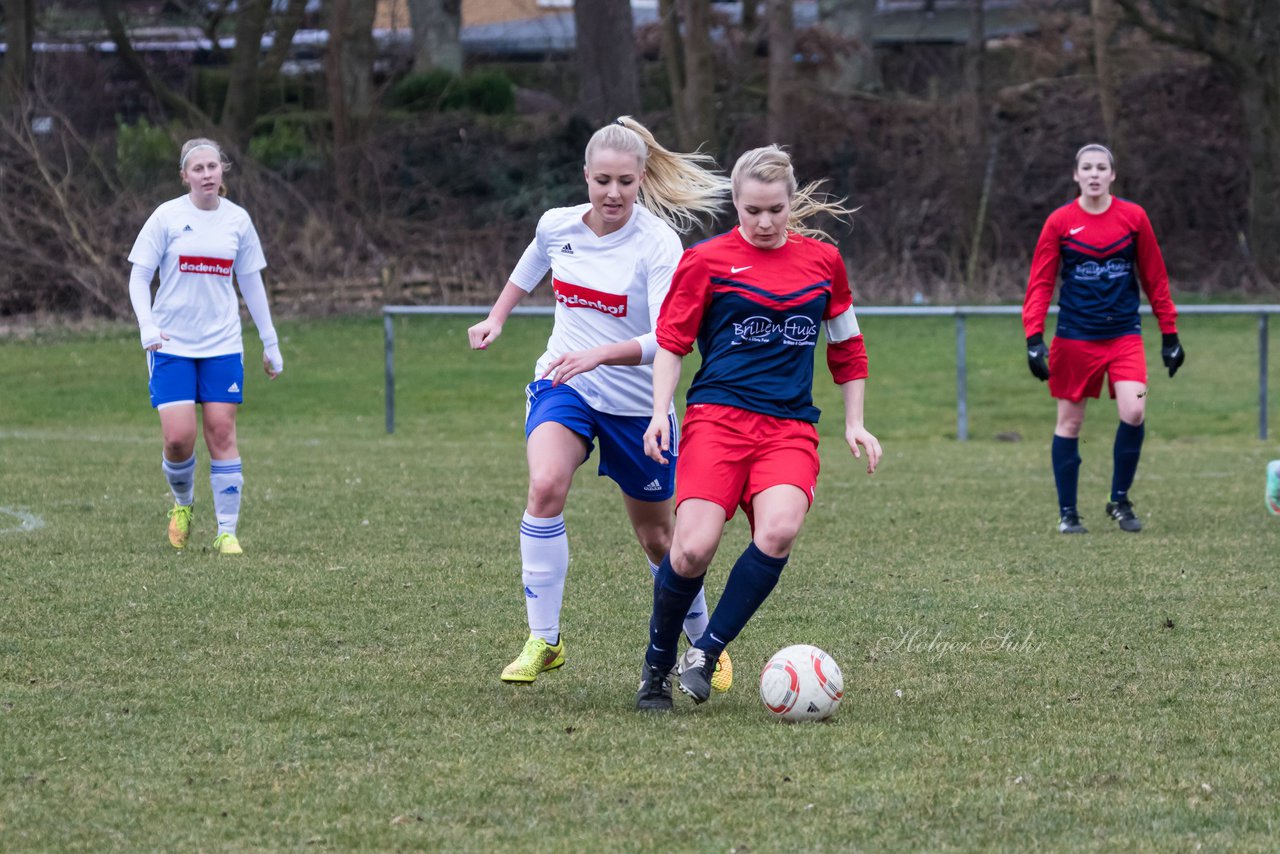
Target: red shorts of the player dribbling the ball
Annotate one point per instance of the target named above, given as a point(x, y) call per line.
point(729, 456)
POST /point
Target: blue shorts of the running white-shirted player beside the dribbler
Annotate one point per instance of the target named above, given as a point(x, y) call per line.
point(621, 437)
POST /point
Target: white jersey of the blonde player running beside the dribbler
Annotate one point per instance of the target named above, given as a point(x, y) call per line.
point(607, 290)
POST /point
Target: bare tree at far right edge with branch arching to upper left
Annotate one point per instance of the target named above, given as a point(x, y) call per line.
point(1242, 40)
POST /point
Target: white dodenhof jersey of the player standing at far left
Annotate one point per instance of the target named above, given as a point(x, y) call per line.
point(196, 252)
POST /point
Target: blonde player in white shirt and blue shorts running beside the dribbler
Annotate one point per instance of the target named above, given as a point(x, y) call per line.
point(611, 263)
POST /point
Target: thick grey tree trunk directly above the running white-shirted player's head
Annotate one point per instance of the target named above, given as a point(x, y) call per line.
point(609, 83)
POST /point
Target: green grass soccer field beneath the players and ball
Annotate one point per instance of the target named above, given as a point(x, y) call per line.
point(336, 688)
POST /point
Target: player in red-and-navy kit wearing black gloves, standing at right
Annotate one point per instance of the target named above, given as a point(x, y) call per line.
point(1105, 248)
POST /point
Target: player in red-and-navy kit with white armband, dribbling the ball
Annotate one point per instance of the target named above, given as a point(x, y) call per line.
point(753, 299)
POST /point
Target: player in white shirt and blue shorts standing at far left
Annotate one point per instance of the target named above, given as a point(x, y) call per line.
point(193, 332)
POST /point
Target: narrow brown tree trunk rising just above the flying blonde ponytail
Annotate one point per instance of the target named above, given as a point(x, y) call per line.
point(687, 48)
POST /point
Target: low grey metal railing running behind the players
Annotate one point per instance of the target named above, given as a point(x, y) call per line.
point(959, 313)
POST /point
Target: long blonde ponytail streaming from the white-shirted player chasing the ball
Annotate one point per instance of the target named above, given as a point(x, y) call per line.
point(680, 189)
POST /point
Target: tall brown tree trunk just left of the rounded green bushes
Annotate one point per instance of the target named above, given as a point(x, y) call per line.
point(350, 76)
